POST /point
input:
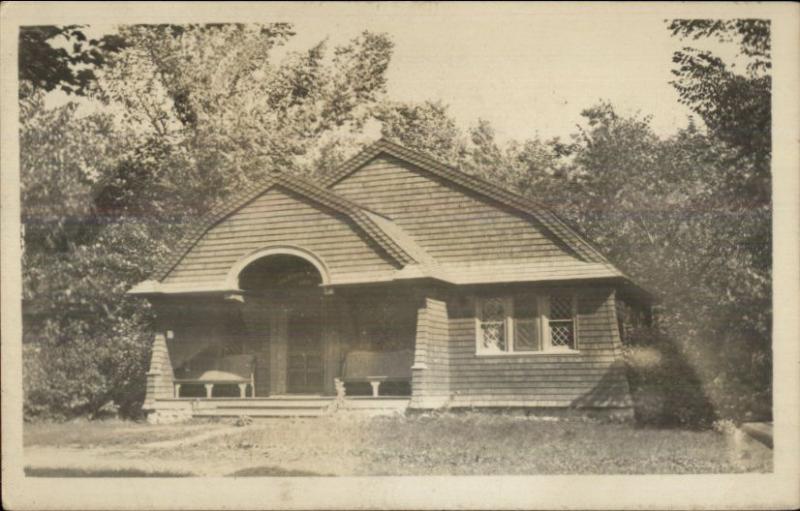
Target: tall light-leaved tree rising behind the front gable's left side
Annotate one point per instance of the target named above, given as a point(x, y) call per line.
point(216, 97)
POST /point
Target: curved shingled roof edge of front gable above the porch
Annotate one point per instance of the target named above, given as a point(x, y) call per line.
point(398, 250)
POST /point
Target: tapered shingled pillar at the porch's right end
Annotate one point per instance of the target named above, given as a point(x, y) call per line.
point(430, 378)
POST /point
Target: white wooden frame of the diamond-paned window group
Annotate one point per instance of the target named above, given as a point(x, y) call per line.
point(542, 319)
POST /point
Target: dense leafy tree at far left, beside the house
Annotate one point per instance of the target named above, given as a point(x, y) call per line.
point(85, 342)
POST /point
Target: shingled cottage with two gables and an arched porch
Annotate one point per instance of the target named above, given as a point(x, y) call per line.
point(398, 282)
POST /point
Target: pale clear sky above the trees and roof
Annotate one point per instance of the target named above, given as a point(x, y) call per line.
point(528, 69)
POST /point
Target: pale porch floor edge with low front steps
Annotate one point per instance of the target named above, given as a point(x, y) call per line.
point(281, 406)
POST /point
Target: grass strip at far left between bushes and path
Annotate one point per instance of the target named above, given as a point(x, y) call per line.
point(107, 433)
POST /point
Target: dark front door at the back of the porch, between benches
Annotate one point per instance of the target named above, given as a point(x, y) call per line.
point(304, 365)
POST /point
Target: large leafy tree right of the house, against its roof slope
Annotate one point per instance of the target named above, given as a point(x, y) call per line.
point(659, 208)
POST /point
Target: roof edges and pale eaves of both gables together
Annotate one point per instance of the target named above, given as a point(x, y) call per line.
point(414, 261)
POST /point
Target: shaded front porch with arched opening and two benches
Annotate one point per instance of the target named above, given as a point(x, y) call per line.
point(284, 344)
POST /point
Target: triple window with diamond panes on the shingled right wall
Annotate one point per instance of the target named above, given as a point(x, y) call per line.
point(526, 324)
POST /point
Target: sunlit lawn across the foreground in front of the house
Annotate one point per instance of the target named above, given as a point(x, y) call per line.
point(446, 444)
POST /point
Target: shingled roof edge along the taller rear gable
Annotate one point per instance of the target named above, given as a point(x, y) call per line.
point(477, 185)
